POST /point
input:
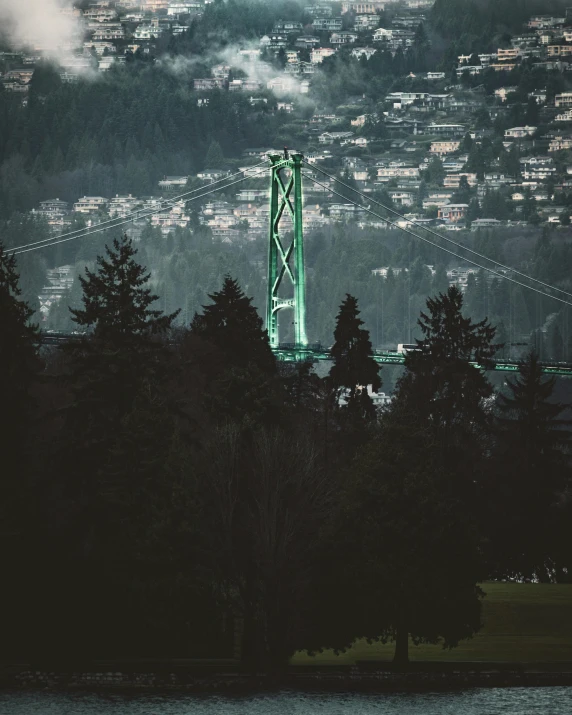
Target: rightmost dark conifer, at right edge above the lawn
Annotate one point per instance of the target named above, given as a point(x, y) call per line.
point(531, 475)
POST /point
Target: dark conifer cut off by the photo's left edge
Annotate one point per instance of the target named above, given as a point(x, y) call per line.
point(19, 368)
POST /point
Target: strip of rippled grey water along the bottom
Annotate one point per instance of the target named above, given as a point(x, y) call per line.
point(495, 701)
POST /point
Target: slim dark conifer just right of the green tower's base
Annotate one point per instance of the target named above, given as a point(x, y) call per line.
point(354, 367)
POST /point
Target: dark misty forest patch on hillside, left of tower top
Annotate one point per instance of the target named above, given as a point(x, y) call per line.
point(117, 135)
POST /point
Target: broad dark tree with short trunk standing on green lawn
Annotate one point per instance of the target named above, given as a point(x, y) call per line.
point(406, 562)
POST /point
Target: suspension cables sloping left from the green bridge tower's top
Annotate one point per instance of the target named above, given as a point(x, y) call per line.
point(114, 223)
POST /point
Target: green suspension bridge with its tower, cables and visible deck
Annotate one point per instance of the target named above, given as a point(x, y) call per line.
point(286, 280)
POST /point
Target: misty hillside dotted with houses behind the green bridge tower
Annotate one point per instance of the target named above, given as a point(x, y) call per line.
point(468, 136)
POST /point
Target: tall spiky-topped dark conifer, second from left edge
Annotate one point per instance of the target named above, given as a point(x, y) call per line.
point(121, 357)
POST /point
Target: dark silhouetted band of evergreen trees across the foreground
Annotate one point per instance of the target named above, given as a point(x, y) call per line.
point(176, 492)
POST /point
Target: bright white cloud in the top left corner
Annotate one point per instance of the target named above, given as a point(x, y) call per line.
point(39, 23)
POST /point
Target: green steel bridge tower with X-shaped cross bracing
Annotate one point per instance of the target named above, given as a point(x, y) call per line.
point(286, 278)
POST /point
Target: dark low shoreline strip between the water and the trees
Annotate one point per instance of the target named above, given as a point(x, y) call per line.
point(236, 682)
